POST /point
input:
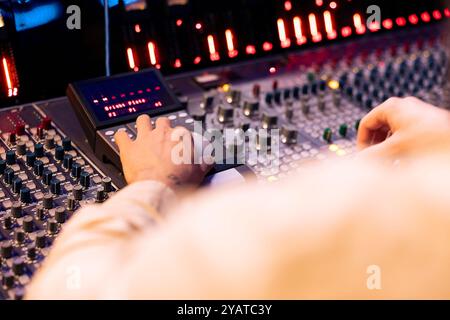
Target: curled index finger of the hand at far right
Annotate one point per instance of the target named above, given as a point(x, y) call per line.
point(379, 119)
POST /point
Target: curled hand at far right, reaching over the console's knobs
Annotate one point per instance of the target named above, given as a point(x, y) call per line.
point(402, 127)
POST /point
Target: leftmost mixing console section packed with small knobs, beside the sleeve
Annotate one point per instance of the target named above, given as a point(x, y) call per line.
point(44, 179)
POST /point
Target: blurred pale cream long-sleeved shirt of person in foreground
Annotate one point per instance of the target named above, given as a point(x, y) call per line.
point(341, 230)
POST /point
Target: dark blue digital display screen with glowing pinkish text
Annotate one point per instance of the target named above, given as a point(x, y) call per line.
point(126, 95)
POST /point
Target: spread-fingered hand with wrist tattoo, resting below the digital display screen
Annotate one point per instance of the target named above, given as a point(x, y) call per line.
point(151, 157)
